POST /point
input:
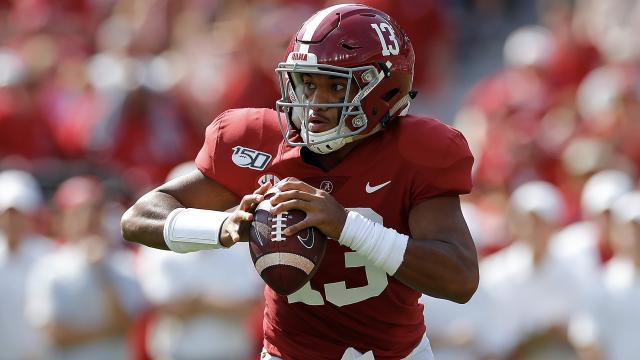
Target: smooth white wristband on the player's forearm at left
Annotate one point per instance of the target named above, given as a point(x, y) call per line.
point(187, 229)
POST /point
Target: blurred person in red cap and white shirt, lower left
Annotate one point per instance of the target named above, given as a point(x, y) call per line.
point(84, 294)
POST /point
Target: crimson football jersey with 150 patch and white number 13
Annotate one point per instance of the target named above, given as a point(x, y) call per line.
point(349, 302)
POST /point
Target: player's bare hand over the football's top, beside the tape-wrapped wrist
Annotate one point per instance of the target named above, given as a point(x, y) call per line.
point(322, 209)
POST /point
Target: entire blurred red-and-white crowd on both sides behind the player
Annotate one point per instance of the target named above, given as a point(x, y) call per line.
point(101, 100)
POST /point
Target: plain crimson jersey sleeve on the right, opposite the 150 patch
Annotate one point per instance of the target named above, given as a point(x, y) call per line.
point(441, 160)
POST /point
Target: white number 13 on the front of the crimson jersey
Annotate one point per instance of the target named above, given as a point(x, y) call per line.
point(337, 293)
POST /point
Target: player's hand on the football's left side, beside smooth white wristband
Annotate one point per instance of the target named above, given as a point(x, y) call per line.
point(236, 226)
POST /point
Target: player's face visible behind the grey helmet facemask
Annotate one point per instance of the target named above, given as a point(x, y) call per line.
point(325, 89)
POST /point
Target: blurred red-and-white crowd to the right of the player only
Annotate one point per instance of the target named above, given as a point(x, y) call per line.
point(555, 210)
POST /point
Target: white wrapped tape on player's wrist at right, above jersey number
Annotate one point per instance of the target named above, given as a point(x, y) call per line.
point(383, 246)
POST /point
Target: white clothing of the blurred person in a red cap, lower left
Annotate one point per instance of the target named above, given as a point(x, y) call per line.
point(64, 288)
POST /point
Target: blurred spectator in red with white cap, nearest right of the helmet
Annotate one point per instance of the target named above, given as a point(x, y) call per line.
point(510, 104)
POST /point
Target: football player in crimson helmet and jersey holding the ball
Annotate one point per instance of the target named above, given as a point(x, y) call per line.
point(382, 184)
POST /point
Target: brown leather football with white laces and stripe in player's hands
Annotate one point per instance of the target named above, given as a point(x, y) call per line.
point(285, 263)
